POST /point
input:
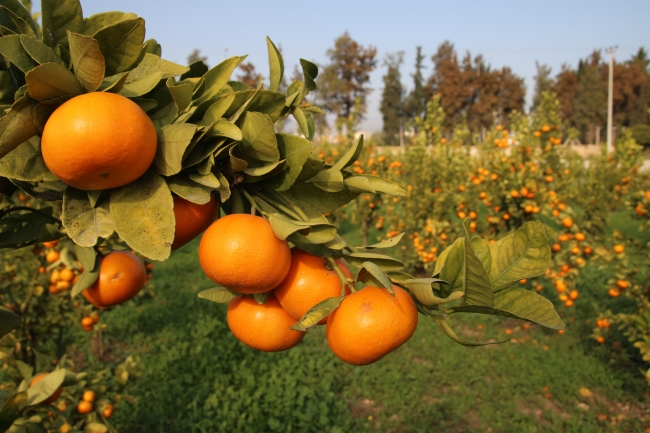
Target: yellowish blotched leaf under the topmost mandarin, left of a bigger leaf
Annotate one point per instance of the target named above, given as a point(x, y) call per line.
point(84, 223)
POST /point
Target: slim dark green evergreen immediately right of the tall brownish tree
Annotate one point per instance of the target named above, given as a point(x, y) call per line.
point(392, 99)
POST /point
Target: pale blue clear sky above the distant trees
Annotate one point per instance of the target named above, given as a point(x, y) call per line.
point(507, 33)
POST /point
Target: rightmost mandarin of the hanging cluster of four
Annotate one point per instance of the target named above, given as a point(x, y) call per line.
point(370, 323)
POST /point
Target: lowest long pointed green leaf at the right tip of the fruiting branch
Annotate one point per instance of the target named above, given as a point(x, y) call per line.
point(521, 304)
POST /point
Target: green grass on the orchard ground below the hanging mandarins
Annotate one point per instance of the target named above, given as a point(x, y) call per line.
point(194, 376)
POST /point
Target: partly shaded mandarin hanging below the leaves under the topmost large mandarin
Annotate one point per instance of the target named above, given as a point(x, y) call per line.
point(121, 276)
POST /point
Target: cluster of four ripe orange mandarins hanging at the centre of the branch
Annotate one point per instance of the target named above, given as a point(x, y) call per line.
point(241, 253)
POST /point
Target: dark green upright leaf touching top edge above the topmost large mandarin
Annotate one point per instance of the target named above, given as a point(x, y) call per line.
point(59, 16)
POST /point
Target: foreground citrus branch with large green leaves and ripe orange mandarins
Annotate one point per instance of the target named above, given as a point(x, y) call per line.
point(135, 155)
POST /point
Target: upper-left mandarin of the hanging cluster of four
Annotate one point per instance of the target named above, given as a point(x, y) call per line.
point(242, 253)
